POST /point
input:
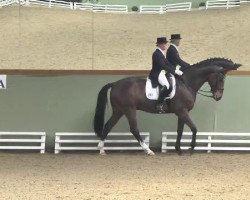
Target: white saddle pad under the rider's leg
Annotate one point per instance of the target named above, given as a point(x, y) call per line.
point(153, 93)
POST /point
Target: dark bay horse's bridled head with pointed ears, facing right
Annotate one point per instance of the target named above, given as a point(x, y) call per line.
point(216, 80)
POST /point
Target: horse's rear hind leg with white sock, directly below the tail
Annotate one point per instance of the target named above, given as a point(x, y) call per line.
point(107, 128)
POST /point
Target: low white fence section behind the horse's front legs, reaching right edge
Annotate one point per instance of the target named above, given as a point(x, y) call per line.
point(209, 141)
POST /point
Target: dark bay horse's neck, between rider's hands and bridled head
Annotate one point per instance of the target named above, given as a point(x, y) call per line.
point(196, 77)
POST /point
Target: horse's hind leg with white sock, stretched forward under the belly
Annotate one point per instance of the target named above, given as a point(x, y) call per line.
point(131, 116)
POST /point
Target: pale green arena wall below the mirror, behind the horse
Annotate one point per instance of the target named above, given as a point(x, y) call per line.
point(67, 103)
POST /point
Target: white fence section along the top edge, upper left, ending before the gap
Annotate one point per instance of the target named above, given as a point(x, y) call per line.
point(51, 3)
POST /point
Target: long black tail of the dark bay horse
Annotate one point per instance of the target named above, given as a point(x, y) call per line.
point(100, 109)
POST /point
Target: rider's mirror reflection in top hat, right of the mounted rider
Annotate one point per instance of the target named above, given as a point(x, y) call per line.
point(173, 52)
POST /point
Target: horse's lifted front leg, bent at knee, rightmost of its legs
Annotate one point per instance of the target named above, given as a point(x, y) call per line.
point(184, 116)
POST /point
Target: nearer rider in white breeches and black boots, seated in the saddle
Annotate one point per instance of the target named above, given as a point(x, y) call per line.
point(160, 67)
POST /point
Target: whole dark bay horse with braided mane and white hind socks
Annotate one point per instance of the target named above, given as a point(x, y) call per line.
point(128, 95)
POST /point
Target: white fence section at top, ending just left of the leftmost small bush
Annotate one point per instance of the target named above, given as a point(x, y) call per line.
point(110, 8)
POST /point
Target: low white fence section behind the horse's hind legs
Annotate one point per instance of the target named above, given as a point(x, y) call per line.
point(89, 141)
